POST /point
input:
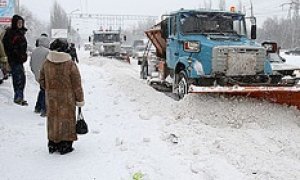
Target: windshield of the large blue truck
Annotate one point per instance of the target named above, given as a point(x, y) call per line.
point(212, 23)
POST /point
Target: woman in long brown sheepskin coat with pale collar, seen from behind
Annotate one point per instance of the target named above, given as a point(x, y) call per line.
point(60, 77)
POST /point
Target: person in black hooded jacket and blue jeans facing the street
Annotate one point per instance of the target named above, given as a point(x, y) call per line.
point(15, 46)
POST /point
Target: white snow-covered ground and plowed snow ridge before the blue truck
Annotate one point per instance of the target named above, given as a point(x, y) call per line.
point(135, 130)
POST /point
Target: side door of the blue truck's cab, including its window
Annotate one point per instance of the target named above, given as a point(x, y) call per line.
point(172, 43)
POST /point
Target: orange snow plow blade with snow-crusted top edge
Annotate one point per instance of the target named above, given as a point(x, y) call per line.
point(289, 96)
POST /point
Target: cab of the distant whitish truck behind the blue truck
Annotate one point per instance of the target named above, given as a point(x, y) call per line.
point(105, 43)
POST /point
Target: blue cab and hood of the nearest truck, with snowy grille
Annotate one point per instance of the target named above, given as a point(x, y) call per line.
point(206, 47)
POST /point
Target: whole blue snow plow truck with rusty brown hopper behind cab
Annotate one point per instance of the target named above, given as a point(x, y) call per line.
point(203, 51)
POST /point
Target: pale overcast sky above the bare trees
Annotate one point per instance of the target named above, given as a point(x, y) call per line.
point(41, 8)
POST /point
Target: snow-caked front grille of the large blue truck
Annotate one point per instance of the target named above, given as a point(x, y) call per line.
point(235, 61)
